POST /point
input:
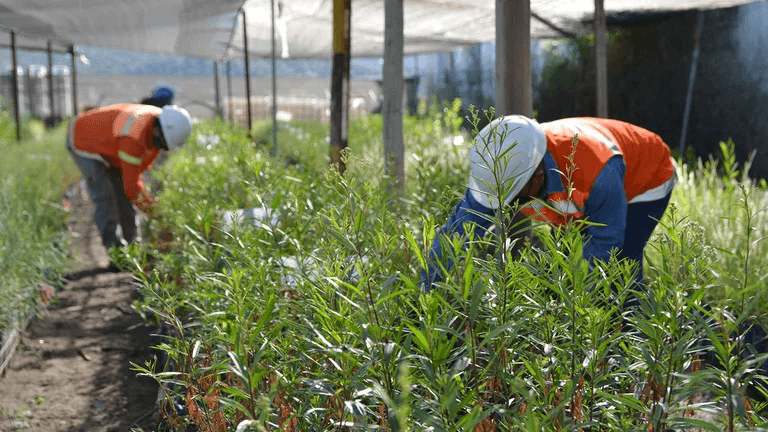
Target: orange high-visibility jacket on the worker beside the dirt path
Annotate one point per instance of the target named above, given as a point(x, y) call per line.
point(121, 136)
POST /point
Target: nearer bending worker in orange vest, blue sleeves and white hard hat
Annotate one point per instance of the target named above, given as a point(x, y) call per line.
point(618, 175)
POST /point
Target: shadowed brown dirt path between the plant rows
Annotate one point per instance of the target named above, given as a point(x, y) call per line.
point(71, 370)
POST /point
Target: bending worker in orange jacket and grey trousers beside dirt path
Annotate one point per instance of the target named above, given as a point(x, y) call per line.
point(113, 146)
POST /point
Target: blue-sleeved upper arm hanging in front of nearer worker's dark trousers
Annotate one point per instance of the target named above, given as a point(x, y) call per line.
point(607, 206)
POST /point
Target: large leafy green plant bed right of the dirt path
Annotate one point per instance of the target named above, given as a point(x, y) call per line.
point(291, 298)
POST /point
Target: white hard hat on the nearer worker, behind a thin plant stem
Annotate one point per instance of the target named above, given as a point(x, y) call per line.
point(503, 157)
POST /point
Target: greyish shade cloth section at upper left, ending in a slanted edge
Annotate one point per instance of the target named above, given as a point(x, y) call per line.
point(198, 28)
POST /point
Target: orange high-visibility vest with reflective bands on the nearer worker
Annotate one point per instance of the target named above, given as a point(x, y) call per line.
point(649, 167)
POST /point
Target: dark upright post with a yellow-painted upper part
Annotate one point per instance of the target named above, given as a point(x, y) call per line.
point(342, 12)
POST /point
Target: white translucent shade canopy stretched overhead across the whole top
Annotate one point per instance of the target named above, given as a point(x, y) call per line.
point(212, 29)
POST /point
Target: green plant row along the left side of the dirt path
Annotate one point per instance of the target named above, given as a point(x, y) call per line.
point(34, 244)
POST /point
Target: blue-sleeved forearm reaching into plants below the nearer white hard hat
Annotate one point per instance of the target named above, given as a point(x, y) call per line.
point(465, 211)
